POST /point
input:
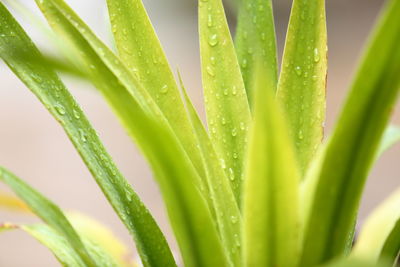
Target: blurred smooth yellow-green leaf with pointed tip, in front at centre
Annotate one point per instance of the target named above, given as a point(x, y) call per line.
point(270, 209)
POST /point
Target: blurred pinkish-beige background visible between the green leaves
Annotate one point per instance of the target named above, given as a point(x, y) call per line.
point(34, 146)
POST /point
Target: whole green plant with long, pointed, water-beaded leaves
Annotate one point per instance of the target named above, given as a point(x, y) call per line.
point(259, 186)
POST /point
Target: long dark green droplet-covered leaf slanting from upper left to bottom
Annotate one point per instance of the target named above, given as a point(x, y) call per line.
point(45, 84)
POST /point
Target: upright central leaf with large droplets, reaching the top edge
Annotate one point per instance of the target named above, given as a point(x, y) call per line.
point(228, 113)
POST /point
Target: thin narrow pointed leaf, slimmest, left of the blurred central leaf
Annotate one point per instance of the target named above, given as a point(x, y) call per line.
point(228, 215)
